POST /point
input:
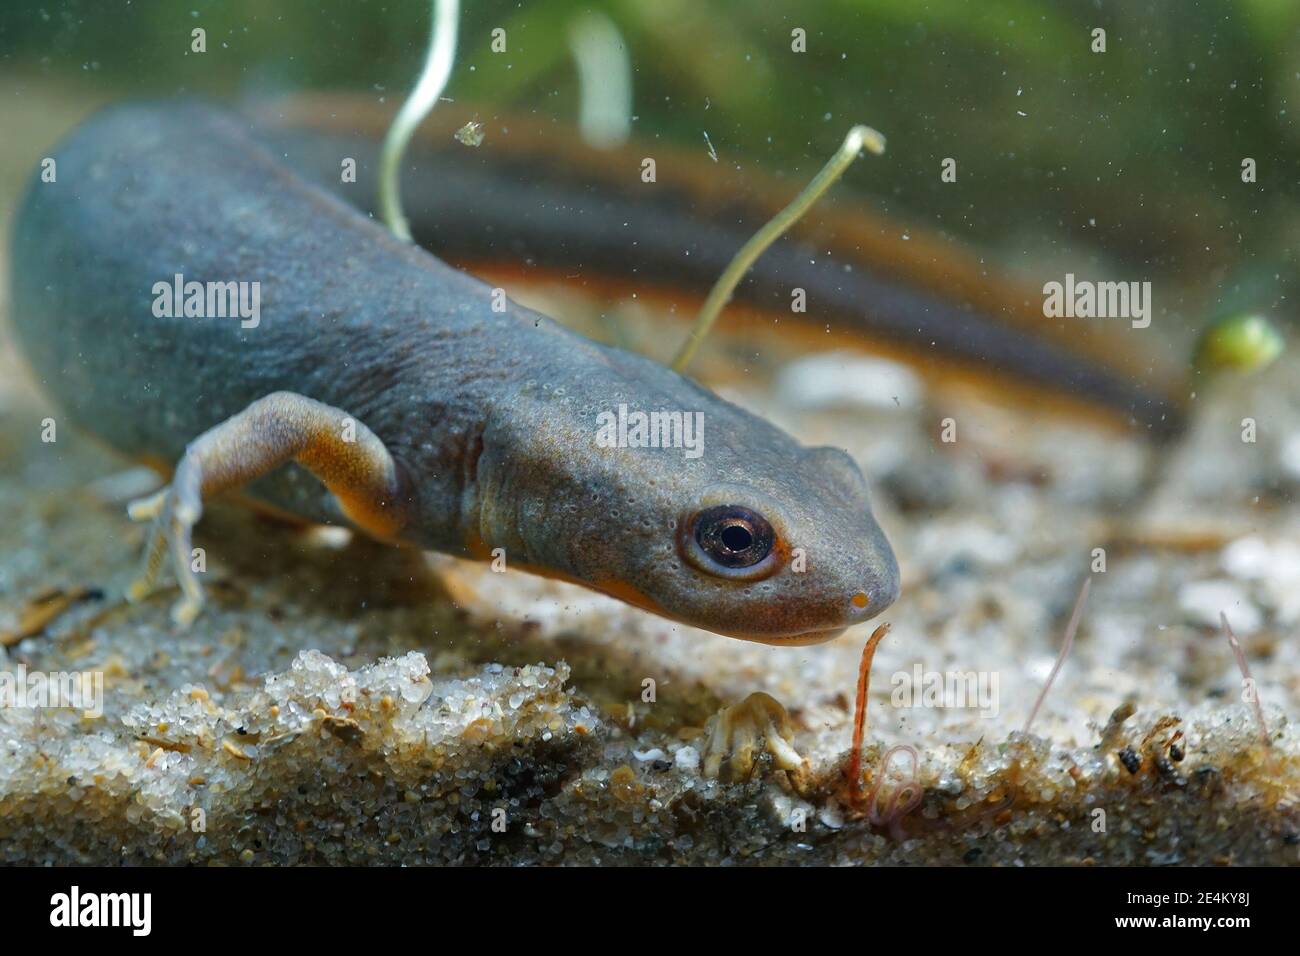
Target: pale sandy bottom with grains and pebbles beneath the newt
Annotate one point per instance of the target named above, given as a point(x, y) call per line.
point(341, 702)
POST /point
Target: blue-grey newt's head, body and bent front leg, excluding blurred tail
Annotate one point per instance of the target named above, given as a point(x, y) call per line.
point(382, 388)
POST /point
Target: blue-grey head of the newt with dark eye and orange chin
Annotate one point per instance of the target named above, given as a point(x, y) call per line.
point(684, 505)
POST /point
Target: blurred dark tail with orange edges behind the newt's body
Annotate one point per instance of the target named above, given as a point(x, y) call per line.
point(536, 205)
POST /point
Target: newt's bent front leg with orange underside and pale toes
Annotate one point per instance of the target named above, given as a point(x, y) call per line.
point(284, 427)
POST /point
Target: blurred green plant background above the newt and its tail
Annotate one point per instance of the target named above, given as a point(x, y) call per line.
point(1126, 159)
